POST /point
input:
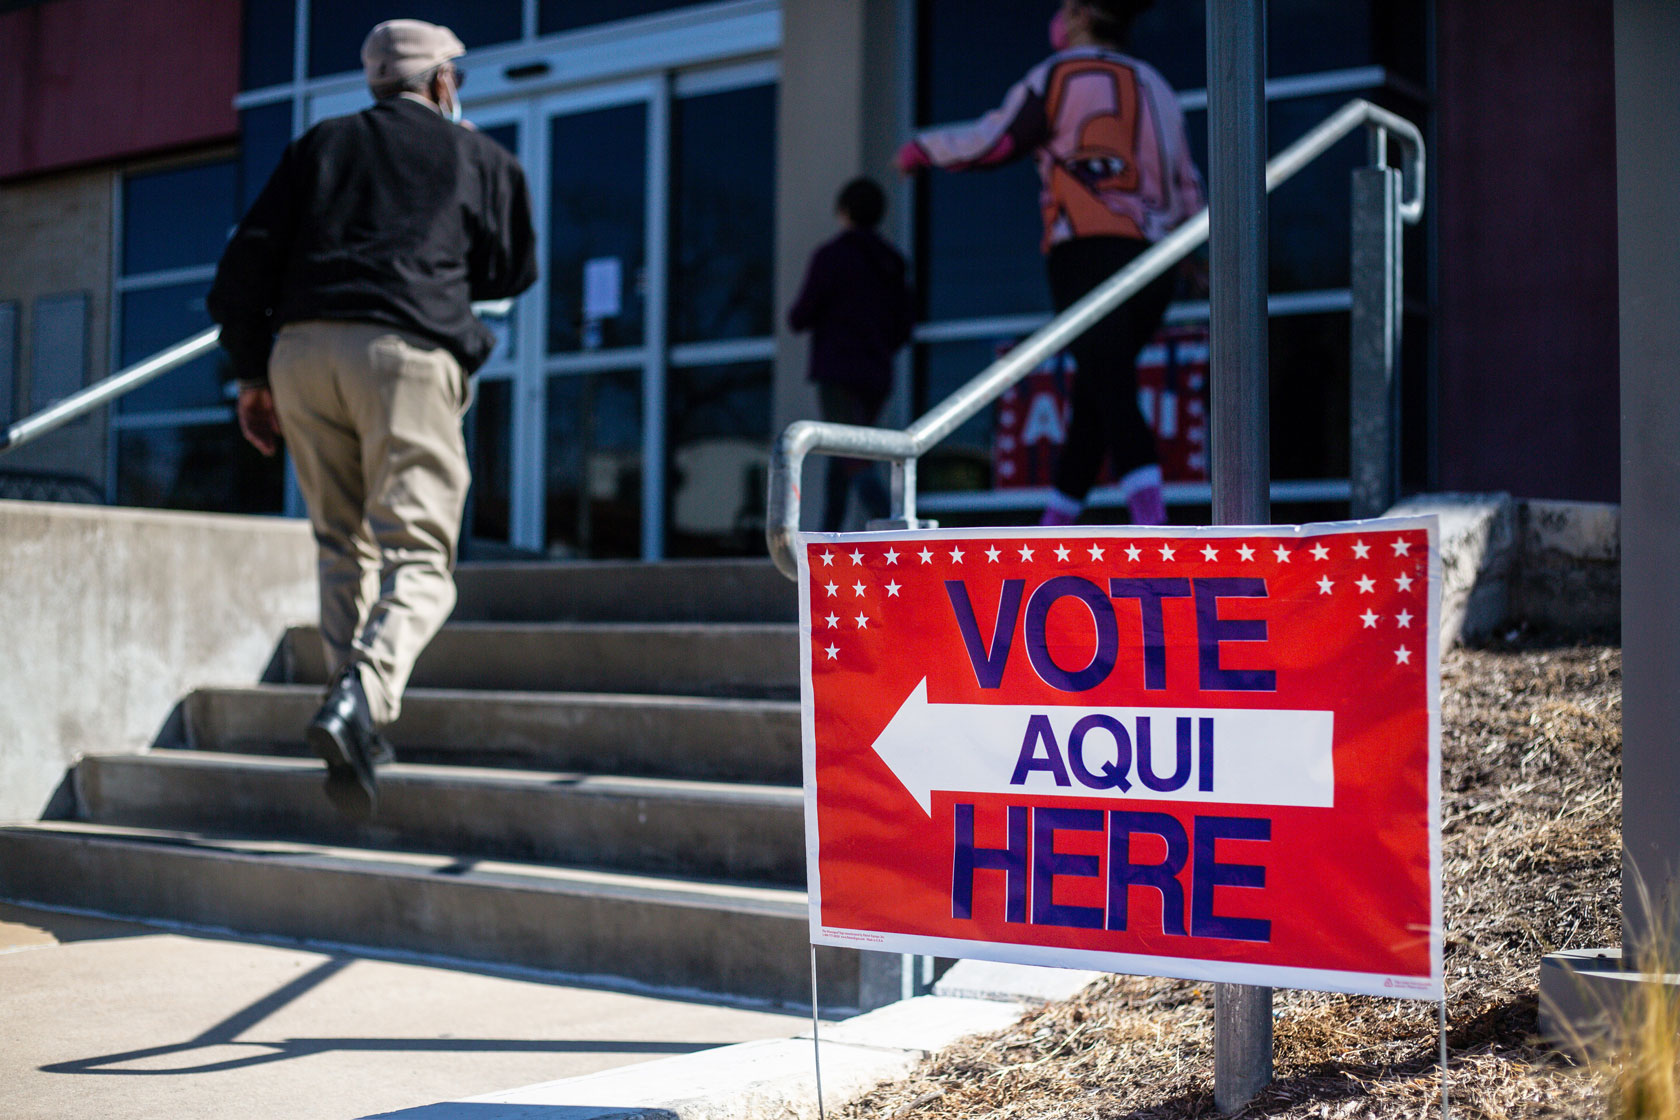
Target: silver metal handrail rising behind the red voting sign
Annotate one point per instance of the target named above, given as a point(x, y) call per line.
point(903, 449)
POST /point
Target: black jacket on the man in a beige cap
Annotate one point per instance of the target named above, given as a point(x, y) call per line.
point(387, 216)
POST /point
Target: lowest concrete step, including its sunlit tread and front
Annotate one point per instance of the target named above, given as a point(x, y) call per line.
point(747, 943)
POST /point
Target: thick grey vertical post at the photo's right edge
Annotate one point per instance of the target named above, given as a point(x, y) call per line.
point(1649, 229)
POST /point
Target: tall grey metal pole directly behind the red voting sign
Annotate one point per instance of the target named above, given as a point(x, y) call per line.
point(1241, 412)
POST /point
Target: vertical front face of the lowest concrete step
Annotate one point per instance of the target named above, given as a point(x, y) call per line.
point(750, 956)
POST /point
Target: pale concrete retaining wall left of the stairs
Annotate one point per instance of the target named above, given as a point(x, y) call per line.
point(110, 617)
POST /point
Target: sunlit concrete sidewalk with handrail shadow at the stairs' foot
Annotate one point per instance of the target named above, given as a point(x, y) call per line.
point(118, 1020)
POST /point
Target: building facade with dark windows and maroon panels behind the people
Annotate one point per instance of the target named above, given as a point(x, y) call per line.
point(685, 160)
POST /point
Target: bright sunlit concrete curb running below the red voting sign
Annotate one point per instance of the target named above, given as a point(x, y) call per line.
point(775, 1079)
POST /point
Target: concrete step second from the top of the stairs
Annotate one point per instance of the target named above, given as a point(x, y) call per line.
point(675, 659)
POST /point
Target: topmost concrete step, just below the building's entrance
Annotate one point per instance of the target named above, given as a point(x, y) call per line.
point(629, 592)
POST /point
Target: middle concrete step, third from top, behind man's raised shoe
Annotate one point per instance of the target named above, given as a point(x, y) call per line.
point(696, 738)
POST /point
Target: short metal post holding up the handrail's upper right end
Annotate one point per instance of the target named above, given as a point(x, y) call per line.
point(1373, 461)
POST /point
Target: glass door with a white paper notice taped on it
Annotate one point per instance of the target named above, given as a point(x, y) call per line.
point(604, 342)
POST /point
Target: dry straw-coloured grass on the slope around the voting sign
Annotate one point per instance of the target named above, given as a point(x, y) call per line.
point(1531, 753)
